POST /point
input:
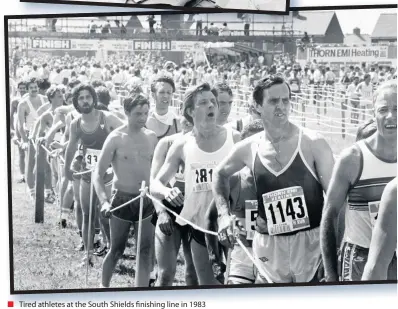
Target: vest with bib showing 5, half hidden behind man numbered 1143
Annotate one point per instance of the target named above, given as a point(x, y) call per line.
point(244, 202)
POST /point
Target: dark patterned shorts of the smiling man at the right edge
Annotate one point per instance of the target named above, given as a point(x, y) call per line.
point(352, 260)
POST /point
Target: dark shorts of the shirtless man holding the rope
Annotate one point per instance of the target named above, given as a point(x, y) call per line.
point(130, 212)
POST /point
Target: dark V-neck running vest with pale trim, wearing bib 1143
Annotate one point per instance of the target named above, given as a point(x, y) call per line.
point(289, 201)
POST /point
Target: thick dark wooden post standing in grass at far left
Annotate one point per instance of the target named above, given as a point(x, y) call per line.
point(39, 183)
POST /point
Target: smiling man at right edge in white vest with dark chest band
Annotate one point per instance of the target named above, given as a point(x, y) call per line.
point(361, 174)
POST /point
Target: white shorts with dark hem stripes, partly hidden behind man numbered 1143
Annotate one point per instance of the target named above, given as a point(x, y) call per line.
point(242, 269)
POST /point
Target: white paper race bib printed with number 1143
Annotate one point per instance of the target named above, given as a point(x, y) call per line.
point(286, 210)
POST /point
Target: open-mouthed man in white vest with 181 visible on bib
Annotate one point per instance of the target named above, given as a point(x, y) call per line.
point(200, 152)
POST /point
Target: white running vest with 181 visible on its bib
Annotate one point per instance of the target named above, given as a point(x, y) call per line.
point(198, 174)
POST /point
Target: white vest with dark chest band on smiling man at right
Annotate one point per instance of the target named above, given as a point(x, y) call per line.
point(365, 195)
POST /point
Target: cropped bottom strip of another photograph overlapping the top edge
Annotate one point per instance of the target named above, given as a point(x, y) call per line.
point(275, 6)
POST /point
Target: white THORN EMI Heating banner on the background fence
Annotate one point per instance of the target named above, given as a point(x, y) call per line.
point(345, 54)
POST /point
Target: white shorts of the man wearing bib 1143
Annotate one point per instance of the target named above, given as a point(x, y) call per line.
point(286, 259)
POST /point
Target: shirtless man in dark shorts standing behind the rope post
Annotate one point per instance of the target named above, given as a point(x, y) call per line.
point(130, 150)
